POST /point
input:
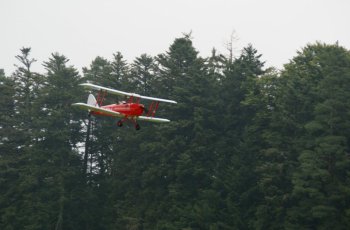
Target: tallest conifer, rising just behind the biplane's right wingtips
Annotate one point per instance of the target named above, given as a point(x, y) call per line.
point(187, 163)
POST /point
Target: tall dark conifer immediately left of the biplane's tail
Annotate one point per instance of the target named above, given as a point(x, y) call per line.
point(58, 147)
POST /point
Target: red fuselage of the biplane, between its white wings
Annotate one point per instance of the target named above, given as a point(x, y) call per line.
point(128, 109)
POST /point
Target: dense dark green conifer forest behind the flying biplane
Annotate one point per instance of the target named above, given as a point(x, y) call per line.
point(248, 146)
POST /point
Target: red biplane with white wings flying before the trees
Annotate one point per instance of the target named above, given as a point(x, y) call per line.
point(130, 110)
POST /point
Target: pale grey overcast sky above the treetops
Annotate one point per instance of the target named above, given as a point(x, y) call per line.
point(84, 29)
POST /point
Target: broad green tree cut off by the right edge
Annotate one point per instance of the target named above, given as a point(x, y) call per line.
point(320, 180)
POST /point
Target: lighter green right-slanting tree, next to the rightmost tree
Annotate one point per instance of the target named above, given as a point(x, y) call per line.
point(294, 93)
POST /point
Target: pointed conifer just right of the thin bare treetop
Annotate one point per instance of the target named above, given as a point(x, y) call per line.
point(236, 159)
